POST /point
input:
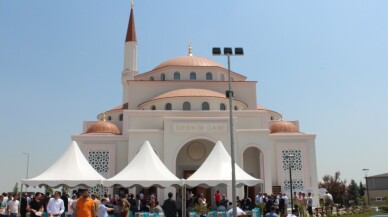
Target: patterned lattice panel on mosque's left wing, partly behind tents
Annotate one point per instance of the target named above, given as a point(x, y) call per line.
point(99, 159)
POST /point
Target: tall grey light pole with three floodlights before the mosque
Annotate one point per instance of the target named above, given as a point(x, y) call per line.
point(238, 51)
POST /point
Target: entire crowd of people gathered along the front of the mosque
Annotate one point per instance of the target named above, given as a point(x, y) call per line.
point(81, 204)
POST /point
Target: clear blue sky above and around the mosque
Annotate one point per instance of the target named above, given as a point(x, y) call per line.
point(324, 63)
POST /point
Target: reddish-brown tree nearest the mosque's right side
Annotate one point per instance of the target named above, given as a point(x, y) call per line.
point(335, 186)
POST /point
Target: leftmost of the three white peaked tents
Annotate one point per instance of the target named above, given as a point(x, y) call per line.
point(71, 170)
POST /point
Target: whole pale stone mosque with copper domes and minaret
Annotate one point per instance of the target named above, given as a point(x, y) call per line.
point(182, 110)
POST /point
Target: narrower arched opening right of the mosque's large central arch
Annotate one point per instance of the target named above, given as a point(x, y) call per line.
point(253, 164)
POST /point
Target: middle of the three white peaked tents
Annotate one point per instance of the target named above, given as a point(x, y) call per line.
point(146, 169)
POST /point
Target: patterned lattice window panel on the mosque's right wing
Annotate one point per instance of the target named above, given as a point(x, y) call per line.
point(296, 169)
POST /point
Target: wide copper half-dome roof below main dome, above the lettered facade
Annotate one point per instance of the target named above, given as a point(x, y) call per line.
point(191, 92)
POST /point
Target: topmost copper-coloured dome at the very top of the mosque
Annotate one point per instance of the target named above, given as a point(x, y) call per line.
point(188, 61)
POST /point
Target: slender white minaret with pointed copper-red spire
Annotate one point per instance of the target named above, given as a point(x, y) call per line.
point(130, 52)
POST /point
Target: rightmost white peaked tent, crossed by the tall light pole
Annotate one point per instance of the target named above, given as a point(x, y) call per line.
point(217, 169)
